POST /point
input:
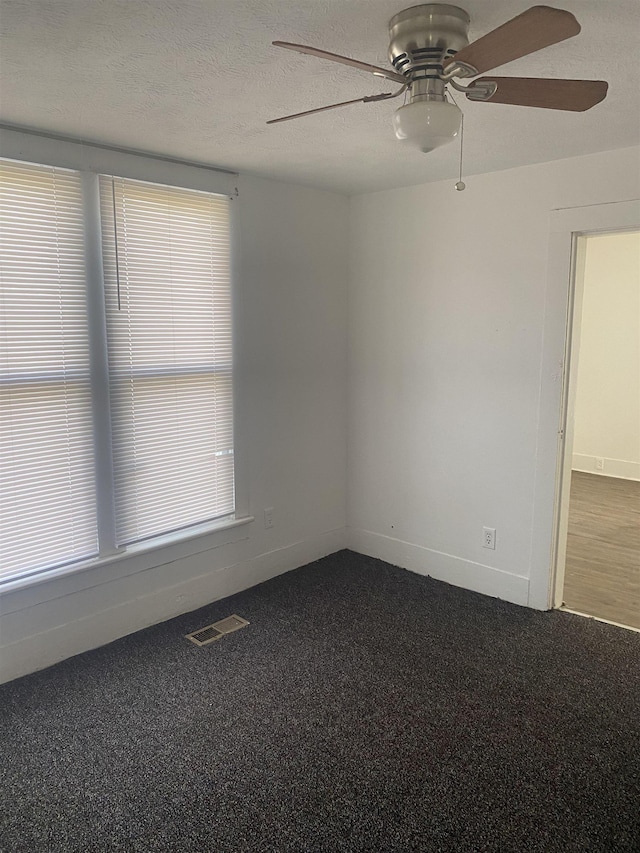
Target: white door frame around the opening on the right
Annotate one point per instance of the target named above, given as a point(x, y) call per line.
point(559, 346)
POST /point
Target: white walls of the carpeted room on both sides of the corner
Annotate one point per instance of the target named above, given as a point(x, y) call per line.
point(445, 321)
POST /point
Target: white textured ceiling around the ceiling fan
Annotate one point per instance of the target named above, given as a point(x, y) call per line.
point(198, 79)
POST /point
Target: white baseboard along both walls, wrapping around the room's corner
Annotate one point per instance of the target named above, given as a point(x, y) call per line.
point(77, 621)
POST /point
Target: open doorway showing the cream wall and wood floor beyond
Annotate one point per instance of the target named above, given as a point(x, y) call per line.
point(598, 552)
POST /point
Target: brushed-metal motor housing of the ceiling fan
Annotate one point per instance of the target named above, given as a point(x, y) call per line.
point(422, 37)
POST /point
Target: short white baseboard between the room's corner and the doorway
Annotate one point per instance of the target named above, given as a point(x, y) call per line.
point(444, 567)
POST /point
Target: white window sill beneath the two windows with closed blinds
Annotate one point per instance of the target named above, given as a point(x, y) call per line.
point(167, 548)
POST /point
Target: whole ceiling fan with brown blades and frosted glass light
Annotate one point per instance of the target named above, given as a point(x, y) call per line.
point(429, 50)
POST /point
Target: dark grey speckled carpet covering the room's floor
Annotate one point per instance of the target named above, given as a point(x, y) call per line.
point(364, 709)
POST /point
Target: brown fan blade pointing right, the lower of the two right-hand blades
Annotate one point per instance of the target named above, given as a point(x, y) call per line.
point(574, 95)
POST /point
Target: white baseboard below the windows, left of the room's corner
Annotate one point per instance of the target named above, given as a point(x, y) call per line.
point(136, 609)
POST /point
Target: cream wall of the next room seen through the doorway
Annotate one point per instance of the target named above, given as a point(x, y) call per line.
point(607, 407)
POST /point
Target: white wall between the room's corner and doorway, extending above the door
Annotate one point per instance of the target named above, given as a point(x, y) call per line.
point(446, 316)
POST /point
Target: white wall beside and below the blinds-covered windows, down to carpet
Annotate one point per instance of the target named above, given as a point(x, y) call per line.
point(290, 318)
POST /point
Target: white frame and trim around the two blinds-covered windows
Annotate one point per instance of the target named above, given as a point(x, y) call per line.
point(91, 161)
